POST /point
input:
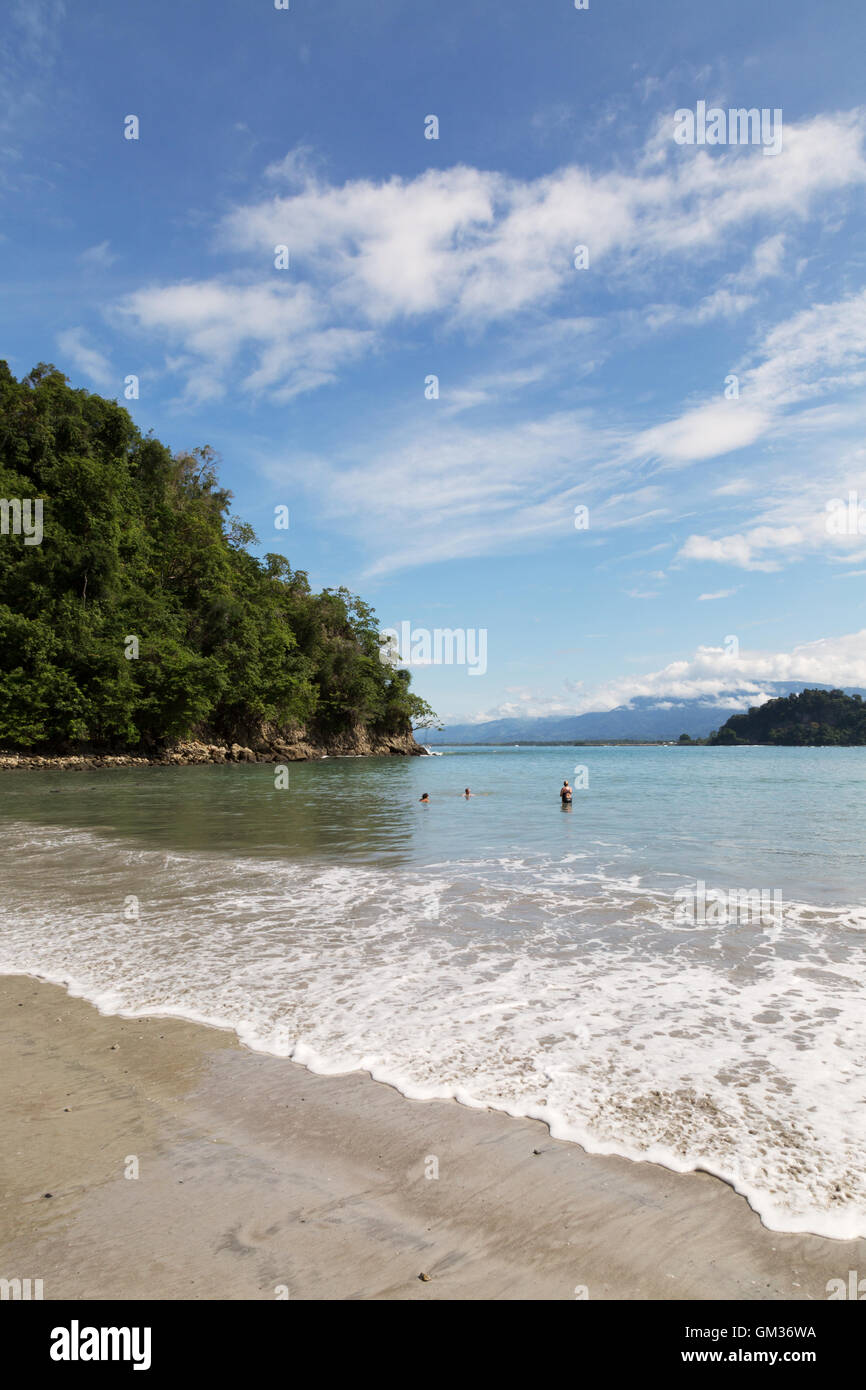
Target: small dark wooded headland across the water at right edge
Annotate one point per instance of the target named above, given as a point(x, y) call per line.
point(810, 718)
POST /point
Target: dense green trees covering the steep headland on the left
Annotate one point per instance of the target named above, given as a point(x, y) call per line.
point(140, 543)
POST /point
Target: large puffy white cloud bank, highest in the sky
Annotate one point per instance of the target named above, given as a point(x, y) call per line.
point(476, 248)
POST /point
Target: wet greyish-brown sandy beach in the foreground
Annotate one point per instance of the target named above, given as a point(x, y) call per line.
point(258, 1179)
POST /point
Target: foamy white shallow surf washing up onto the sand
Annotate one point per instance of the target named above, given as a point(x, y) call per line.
point(532, 985)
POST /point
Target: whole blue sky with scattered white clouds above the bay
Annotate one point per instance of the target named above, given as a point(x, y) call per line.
point(559, 387)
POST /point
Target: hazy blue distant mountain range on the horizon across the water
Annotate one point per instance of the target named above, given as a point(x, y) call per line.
point(646, 719)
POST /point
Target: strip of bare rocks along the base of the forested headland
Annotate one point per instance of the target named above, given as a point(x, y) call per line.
point(293, 747)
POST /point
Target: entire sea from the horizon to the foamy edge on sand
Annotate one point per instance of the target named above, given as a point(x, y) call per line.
point(501, 950)
